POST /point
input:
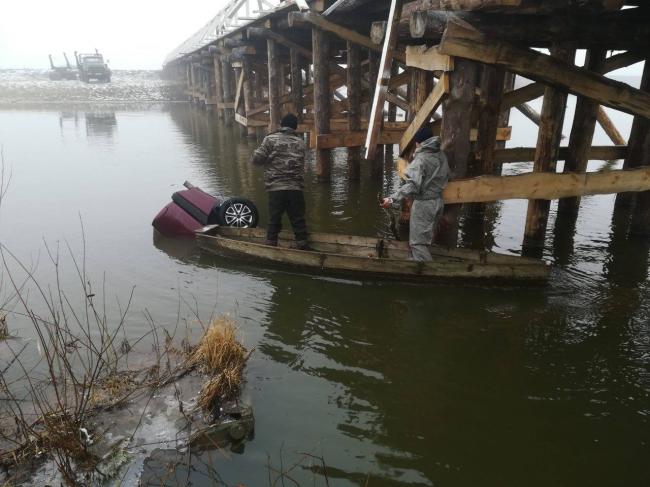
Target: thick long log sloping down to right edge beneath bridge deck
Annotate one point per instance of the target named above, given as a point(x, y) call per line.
point(461, 41)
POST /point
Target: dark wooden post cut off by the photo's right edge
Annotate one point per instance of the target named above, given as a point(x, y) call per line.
point(639, 155)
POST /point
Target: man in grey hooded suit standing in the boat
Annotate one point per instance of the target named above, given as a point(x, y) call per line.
point(424, 180)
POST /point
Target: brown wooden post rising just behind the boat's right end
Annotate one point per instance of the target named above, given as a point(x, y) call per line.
point(546, 156)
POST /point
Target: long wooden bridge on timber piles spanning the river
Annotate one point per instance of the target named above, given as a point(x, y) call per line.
point(366, 73)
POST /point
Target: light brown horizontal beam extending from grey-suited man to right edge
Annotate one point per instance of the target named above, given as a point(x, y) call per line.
point(545, 186)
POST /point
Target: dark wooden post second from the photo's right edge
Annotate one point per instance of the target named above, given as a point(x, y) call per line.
point(582, 132)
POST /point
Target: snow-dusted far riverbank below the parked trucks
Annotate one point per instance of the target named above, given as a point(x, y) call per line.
point(32, 87)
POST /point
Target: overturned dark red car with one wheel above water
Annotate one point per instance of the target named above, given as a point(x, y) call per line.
point(193, 208)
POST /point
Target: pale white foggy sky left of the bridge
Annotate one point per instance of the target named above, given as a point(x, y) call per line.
point(134, 34)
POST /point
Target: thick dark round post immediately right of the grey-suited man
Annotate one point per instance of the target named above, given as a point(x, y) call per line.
point(455, 134)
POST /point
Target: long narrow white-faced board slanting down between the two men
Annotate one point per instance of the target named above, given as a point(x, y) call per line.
point(381, 87)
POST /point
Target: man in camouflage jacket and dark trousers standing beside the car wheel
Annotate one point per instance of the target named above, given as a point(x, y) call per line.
point(282, 154)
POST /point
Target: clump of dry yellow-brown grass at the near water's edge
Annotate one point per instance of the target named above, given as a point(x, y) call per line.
point(222, 356)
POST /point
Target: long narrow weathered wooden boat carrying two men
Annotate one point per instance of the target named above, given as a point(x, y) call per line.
point(368, 257)
